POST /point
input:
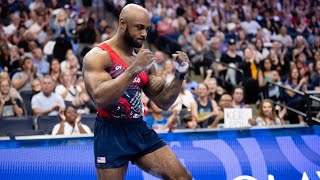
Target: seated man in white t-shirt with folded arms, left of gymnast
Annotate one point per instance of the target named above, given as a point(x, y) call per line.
point(47, 102)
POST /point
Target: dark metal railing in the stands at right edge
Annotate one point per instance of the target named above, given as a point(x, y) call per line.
point(309, 97)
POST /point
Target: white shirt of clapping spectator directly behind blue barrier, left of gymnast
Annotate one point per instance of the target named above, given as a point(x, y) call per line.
point(70, 130)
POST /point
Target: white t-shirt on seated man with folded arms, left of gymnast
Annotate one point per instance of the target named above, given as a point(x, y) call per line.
point(46, 103)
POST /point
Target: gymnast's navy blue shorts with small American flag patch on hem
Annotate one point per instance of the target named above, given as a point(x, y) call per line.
point(116, 142)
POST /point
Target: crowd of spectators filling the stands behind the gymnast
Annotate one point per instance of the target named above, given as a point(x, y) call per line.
point(236, 47)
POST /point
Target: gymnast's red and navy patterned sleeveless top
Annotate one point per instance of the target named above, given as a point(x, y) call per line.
point(129, 105)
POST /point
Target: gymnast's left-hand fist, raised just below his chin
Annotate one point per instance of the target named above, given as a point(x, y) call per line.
point(144, 60)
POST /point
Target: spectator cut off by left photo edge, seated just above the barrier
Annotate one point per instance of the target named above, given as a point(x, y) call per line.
point(10, 104)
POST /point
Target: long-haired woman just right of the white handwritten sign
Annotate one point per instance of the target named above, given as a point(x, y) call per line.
point(267, 115)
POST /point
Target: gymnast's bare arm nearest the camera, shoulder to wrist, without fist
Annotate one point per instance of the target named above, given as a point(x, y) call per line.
point(103, 89)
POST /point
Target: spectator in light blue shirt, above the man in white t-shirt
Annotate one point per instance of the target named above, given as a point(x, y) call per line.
point(39, 61)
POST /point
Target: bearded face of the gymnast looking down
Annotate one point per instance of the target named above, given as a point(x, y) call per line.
point(136, 31)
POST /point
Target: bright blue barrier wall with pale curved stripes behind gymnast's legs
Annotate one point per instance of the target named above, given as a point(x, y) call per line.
point(291, 153)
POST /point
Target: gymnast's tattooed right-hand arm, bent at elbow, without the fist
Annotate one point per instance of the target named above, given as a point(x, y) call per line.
point(161, 94)
